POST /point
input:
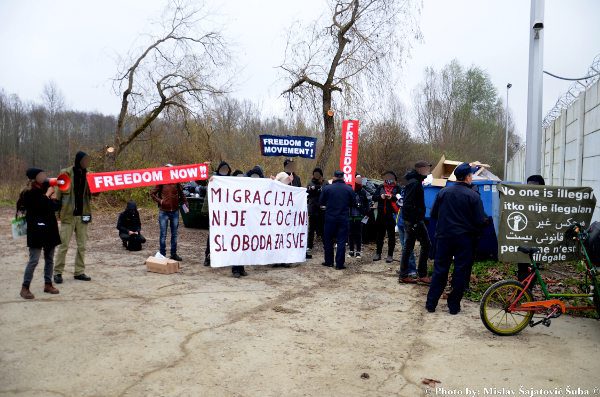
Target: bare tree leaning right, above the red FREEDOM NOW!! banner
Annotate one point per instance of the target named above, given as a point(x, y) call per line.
point(175, 75)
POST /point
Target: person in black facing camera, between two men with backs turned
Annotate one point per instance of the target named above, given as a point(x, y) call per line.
point(386, 196)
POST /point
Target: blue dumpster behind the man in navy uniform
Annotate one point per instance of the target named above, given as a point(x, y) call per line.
point(488, 190)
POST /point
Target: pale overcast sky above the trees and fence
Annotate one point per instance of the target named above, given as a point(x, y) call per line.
point(76, 43)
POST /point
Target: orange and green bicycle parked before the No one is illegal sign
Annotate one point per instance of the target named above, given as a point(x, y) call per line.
point(507, 307)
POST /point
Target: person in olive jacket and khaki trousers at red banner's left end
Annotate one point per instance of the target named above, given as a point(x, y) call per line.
point(75, 216)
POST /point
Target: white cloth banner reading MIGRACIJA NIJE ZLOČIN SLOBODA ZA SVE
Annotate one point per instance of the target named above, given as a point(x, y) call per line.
point(256, 222)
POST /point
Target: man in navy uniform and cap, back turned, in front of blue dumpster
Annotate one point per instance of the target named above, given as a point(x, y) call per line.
point(460, 219)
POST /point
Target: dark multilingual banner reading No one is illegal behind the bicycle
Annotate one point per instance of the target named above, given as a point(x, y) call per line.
point(538, 216)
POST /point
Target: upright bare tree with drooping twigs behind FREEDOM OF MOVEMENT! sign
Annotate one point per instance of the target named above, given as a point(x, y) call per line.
point(352, 52)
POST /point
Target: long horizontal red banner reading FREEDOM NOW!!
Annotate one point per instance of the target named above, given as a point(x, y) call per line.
point(117, 180)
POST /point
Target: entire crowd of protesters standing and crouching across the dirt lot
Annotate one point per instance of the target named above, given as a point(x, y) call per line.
point(336, 211)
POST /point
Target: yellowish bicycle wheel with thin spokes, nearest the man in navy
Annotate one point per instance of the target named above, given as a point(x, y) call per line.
point(494, 305)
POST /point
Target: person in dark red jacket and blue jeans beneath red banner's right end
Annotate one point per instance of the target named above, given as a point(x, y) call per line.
point(169, 197)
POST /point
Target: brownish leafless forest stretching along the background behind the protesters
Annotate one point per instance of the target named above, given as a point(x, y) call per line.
point(458, 113)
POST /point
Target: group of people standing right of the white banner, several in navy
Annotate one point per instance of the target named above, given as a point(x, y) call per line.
point(458, 211)
